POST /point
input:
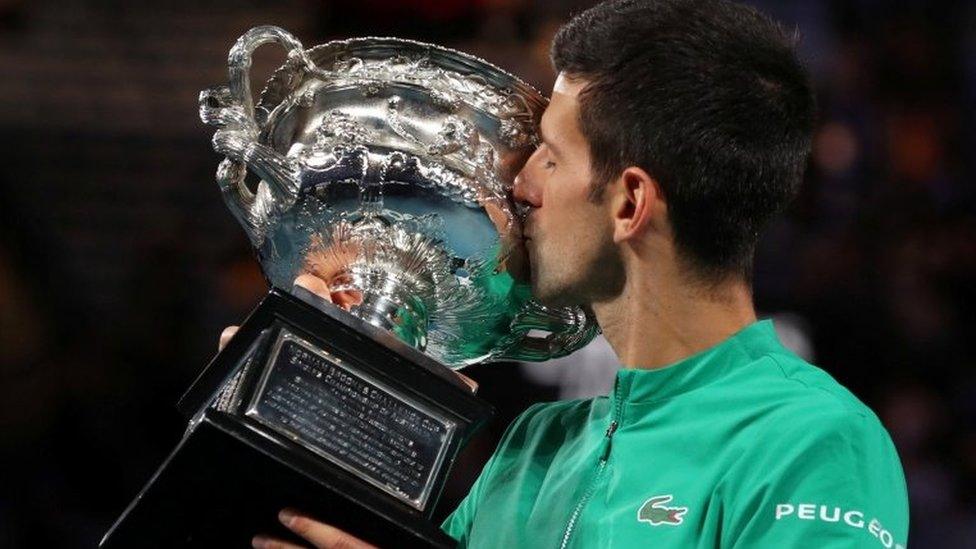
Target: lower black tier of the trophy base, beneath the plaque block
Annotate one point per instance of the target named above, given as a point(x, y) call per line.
point(196, 500)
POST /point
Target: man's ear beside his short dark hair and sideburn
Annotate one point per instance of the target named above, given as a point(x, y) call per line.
point(638, 204)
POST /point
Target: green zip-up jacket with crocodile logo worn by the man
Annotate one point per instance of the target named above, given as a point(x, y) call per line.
point(742, 445)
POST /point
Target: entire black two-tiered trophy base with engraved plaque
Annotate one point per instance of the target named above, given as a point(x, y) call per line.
point(308, 408)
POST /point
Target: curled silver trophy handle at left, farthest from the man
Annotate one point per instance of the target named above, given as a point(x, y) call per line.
point(231, 109)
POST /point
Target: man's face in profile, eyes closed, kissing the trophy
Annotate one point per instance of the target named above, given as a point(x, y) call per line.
point(568, 235)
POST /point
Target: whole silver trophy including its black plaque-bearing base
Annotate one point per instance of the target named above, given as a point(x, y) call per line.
point(382, 168)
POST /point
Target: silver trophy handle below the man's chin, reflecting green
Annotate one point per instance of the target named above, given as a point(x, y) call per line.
point(567, 329)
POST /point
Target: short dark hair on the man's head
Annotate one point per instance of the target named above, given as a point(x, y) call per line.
point(707, 96)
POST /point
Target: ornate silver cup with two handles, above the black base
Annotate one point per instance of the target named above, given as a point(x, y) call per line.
point(384, 169)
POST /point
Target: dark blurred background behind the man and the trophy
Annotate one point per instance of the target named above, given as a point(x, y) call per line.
point(119, 263)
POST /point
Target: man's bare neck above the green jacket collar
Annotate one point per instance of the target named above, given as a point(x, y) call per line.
point(662, 317)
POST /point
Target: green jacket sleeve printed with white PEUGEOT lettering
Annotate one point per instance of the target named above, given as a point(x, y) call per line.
point(826, 479)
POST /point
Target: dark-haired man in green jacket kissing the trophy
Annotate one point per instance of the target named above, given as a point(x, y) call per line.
point(676, 130)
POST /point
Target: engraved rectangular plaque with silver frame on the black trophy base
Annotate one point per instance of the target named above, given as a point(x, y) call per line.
point(326, 405)
